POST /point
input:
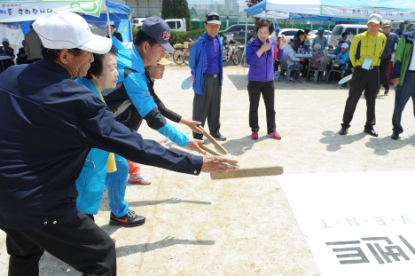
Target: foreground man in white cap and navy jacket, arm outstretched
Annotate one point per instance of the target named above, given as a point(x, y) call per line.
point(43, 148)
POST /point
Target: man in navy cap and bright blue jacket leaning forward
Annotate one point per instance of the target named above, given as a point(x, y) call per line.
point(149, 47)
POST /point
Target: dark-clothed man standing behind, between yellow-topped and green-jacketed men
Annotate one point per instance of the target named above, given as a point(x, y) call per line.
point(392, 41)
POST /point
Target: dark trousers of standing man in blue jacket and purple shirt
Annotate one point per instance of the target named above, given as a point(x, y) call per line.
point(207, 106)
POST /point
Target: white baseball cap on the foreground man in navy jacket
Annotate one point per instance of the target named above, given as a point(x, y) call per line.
point(67, 30)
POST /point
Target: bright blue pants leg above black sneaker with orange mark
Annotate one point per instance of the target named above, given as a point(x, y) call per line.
point(116, 184)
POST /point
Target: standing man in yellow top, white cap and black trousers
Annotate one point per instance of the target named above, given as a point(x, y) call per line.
point(365, 53)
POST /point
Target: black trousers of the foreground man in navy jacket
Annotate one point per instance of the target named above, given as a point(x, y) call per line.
point(81, 244)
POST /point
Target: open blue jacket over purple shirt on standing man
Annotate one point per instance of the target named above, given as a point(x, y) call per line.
point(197, 61)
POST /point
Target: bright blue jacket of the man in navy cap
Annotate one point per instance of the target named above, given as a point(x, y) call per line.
point(136, 87)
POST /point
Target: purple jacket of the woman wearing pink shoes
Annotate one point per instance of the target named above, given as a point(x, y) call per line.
point(261, 68)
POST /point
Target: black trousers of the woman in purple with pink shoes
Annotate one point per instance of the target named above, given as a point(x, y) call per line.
point(255, 89)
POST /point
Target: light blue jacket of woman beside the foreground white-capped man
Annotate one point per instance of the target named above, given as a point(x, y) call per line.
point(90, 183)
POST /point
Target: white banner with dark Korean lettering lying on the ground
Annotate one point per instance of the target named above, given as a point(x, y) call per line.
point(356, 223)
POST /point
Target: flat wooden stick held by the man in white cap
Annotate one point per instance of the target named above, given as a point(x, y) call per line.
point(249, 172)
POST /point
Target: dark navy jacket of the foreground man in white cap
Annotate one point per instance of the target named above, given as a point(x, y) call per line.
point(55, 122)
